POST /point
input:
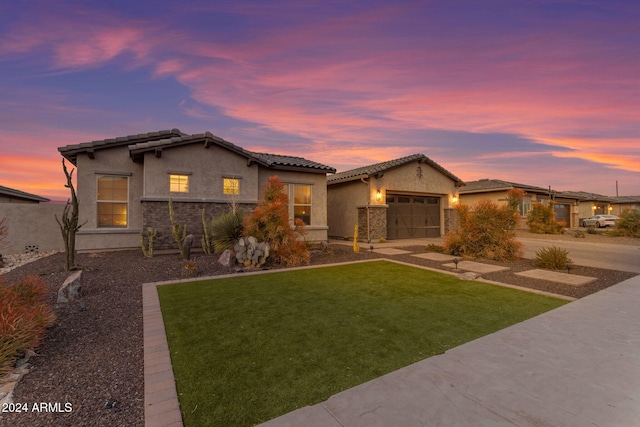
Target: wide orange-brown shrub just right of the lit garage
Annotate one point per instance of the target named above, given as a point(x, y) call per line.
point(486, 231)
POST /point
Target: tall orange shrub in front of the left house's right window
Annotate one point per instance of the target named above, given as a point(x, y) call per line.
point(270, 223)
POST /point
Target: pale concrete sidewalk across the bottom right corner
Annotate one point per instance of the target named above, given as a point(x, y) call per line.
point(574, 366)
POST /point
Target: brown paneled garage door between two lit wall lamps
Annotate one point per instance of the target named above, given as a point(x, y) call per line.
point(412, 216)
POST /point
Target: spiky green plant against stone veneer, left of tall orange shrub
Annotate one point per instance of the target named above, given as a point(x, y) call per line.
point(222, 232)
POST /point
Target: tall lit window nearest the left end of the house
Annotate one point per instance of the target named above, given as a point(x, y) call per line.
point(113, 201)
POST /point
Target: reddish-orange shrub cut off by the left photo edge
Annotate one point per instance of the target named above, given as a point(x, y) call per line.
point(24, 318)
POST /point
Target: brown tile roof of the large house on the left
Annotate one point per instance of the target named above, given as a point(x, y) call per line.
point(157, 141)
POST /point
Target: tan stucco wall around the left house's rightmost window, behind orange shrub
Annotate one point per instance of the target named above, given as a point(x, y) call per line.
point(317, 230)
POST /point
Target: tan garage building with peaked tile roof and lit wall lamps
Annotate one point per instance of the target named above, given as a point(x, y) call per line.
point(404, 198)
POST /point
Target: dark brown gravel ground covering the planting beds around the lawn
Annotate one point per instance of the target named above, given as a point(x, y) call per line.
point(92, 356)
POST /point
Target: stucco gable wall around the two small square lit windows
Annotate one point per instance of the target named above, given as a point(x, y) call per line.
point(206, 168)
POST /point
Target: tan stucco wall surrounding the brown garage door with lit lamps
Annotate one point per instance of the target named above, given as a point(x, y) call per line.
point(344, 198)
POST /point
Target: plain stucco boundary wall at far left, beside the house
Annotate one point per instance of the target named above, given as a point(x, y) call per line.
point(33, 225)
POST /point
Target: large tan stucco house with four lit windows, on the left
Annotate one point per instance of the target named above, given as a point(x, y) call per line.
point(125, 183)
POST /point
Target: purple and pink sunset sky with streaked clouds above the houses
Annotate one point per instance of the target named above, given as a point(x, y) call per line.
point(542, 92)
